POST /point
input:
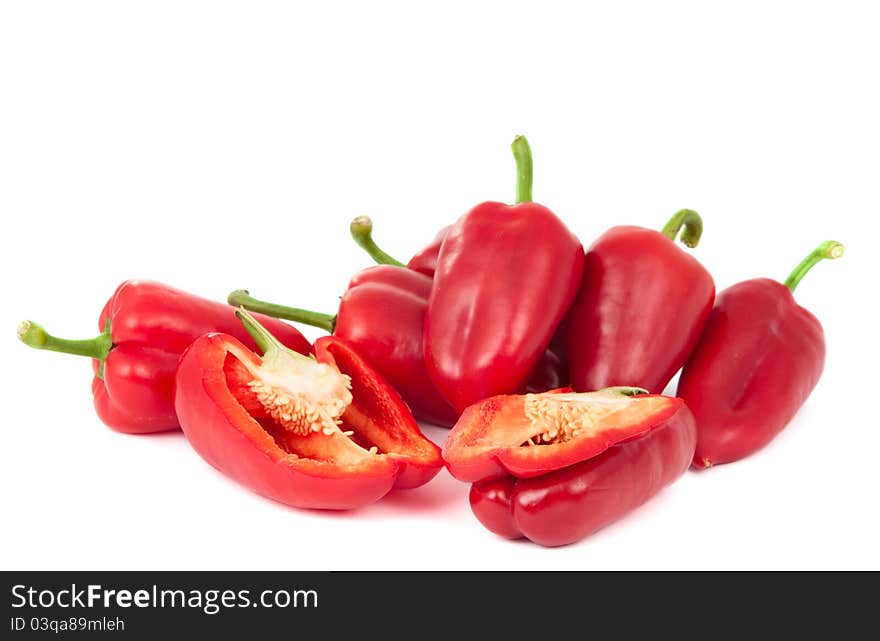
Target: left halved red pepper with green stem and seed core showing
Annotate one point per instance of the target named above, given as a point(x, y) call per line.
point(325, 432)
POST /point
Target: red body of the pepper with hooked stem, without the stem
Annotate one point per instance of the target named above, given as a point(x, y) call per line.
point(641, 308)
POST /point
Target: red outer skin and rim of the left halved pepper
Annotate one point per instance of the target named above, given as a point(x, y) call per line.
point(228, 437)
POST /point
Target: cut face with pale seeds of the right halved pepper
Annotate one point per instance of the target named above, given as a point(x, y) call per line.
point(533, 434)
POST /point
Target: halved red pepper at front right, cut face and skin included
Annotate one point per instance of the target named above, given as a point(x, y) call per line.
point(556, 467)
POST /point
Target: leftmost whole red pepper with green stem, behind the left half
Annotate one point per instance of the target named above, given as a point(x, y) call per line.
point(145, 326)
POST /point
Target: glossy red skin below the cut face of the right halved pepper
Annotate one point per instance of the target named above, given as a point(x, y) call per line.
point(570, 504)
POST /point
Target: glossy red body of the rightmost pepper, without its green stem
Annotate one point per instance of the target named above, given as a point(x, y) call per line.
point(760, 356)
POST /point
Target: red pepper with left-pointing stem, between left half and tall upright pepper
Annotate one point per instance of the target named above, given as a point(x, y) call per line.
point(381, 316)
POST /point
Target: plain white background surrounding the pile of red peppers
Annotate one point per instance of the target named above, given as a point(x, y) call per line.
point(222, 145)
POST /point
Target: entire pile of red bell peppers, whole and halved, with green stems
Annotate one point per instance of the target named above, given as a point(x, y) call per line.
point(548, 362)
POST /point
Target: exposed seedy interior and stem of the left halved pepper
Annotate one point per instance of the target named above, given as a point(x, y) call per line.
point(327, 408)
